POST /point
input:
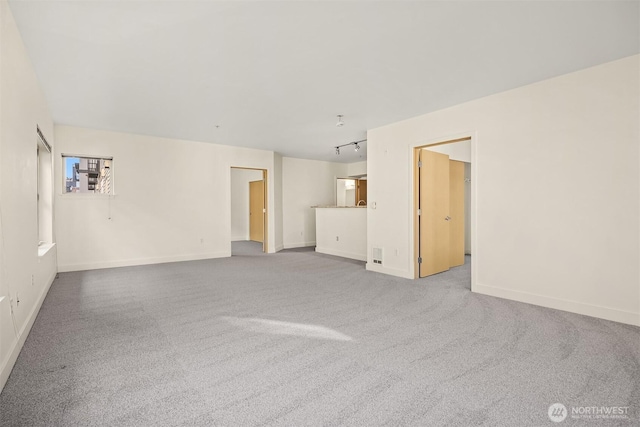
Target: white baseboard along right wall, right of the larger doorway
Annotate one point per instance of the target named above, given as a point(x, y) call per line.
point(601, 312)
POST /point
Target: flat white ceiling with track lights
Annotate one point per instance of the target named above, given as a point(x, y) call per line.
point(274, 75)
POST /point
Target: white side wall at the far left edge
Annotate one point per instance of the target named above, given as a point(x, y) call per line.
point(24, 275)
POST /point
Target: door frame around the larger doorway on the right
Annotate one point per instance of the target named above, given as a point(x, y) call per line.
point(414, 202)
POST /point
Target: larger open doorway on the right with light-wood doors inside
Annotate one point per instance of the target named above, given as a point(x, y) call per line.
point(442, 200)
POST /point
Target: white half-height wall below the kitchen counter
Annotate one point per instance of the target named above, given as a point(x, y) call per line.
point(342, 232)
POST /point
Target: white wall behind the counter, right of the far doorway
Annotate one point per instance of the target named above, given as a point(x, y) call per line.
point(306, 183)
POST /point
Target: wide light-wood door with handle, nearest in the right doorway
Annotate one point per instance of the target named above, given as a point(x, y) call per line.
point(434, 213)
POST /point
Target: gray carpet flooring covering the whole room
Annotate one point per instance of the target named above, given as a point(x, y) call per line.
point(303, 339)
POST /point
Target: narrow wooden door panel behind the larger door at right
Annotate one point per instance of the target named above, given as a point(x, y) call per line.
point(456, 212)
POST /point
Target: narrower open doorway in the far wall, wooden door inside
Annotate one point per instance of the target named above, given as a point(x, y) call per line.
point(248, 211)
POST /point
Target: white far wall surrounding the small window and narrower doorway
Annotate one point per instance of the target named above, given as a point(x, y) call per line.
point(172, 200)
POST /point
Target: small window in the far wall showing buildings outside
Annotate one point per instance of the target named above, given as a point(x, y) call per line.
point(88, 174)
